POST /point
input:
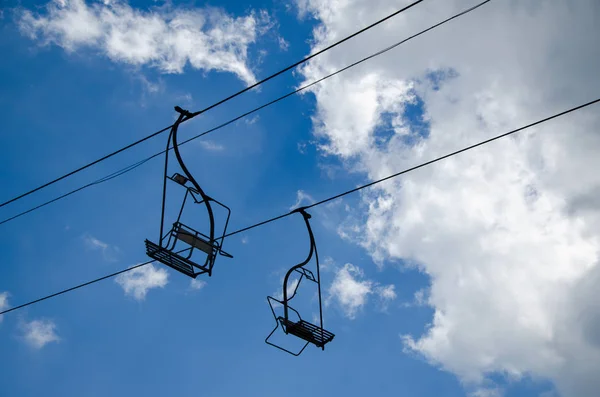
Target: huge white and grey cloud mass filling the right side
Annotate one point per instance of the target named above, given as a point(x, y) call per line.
point(508, 233)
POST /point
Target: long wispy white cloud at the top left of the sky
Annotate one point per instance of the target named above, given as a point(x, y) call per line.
point(164, 37)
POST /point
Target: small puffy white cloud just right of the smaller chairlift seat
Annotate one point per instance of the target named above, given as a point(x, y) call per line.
point(350, 290)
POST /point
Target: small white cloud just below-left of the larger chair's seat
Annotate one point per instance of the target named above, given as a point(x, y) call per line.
point(139, 281)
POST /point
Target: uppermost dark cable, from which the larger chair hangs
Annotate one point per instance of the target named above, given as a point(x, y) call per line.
point(214, 105)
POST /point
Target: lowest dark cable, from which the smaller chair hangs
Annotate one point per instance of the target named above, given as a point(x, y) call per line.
point(336, 196)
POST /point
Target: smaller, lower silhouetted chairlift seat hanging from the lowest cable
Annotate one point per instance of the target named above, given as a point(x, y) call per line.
point(300, 328)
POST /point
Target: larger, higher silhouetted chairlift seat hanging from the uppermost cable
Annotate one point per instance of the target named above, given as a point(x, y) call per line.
point(167, 250)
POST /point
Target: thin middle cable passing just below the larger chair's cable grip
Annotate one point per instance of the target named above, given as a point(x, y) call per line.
point(305, 87)
